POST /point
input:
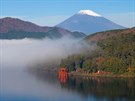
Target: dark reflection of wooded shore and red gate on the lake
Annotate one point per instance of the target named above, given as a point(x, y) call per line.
point(100, 88)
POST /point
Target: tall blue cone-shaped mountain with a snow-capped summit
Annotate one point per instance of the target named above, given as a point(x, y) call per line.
point(88, 22)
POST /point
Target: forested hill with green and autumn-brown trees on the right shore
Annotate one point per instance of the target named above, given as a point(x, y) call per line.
point(115, 54)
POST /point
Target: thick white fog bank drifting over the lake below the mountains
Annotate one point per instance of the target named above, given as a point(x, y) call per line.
point(14, 53)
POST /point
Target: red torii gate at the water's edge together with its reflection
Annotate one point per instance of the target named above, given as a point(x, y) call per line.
point(63, 75)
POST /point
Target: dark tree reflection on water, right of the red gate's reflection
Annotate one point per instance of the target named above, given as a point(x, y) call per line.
point(111, 88)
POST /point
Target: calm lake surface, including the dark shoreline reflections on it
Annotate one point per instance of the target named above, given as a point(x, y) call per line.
point(22, 85)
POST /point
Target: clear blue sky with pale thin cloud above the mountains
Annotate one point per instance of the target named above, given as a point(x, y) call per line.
point(51, 12)
